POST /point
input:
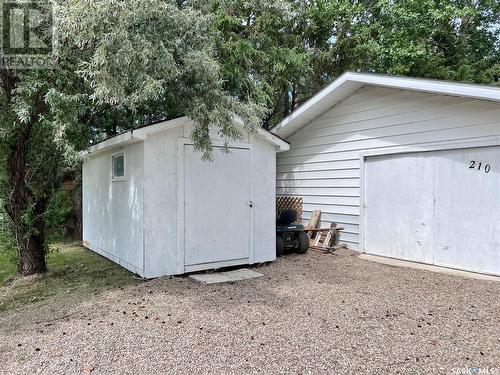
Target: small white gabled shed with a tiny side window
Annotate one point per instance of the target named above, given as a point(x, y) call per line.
point(153, 206)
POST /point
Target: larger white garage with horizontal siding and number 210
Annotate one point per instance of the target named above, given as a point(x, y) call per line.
point(409, 167)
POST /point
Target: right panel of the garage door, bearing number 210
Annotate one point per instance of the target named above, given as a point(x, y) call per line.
point(467, 225)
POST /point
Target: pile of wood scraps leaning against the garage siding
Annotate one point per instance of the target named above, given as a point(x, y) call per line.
point(323, 239)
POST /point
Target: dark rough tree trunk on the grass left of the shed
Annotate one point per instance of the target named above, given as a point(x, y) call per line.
point(29, 238)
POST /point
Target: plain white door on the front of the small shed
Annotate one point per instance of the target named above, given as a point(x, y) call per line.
point(216, 208)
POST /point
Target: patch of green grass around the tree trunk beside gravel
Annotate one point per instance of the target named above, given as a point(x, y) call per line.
point(73, 271)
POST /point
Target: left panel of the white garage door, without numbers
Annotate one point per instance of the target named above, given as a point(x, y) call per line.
point(398, 207)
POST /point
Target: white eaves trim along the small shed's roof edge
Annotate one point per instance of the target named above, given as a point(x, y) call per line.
point(140, 134)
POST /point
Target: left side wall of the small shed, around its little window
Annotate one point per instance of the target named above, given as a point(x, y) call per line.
point(113, 210)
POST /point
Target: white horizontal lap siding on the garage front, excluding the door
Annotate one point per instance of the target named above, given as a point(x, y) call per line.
point(323, 165)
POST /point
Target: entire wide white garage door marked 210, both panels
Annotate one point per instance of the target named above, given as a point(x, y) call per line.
point(440, 207)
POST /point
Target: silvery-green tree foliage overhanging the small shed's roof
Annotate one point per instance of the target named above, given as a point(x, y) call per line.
point(133, 53)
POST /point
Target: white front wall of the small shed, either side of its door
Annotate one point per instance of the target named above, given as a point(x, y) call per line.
point(161, 199)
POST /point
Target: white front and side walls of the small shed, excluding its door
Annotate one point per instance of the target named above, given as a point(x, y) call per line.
point(135, 222)
